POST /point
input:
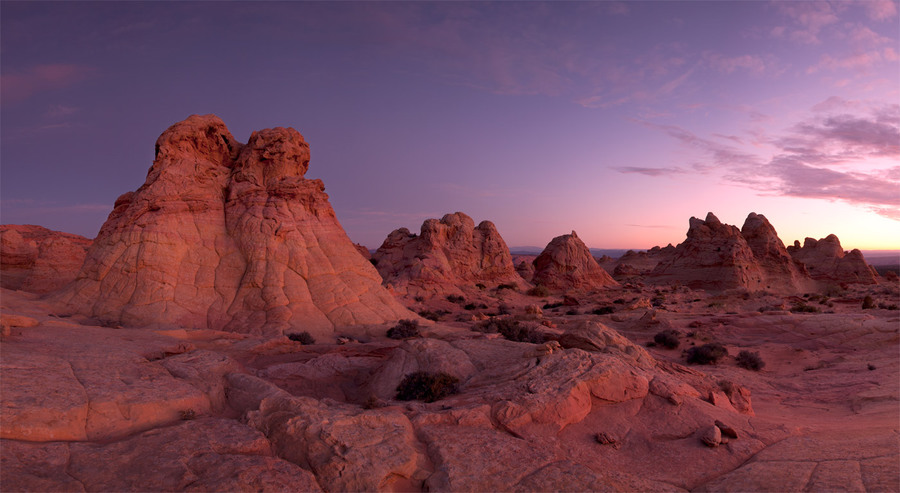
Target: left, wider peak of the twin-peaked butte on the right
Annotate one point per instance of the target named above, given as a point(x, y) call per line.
point(714, 256)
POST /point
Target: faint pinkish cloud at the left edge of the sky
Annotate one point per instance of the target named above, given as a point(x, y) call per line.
point(19, 85)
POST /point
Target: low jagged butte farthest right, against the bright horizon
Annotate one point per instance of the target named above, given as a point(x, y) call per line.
point(826, 261)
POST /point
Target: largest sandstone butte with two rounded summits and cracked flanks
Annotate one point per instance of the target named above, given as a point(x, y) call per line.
point(228, 236)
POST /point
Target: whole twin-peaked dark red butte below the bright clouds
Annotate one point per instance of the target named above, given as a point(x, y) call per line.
point(717, 256)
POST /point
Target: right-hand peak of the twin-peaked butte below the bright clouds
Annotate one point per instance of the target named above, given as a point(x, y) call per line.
point(781, 271)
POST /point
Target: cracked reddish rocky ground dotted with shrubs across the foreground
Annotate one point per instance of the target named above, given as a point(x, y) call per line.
point(89, 408)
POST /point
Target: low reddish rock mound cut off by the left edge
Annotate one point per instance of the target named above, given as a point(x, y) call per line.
point(39, 260)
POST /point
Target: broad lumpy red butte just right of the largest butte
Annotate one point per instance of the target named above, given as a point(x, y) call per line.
point(449, 253)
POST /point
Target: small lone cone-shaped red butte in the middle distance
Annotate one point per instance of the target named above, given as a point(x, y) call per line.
point(566, 263)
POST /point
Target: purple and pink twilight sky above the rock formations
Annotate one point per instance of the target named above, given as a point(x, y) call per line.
point(618, 120)
